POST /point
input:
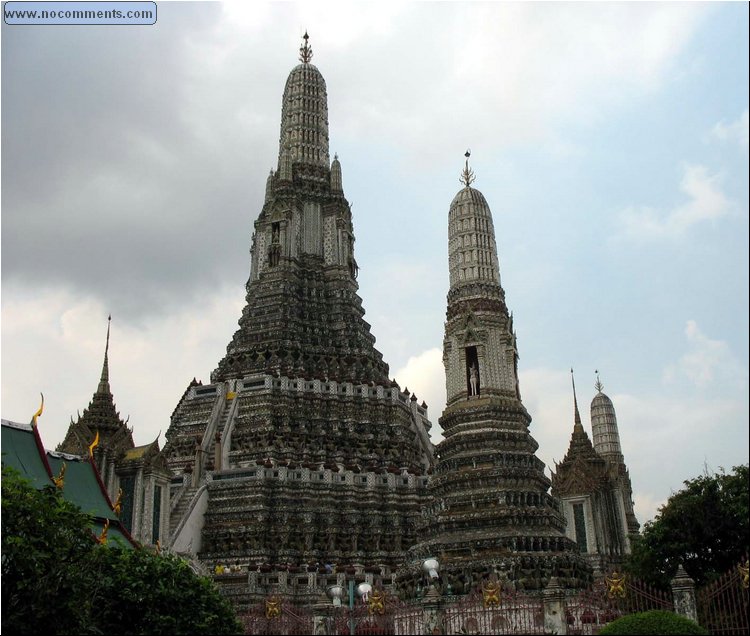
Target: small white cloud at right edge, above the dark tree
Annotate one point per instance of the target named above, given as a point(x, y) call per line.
point(707, 362)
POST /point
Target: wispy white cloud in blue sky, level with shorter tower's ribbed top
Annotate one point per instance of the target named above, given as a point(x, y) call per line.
point(706, 203)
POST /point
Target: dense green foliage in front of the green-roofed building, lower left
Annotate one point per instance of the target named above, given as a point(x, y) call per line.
point(57, 580)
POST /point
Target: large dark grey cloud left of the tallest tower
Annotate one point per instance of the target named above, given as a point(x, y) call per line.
point(131, 171)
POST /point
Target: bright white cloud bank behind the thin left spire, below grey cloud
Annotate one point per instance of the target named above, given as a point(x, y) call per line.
point(53, 342)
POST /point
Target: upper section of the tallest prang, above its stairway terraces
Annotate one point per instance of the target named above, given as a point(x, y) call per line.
point(303, 315)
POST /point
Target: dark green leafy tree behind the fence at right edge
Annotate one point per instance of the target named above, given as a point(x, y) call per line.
point(705, 526)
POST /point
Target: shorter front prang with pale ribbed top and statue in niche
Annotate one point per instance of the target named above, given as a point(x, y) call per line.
point(491, 511)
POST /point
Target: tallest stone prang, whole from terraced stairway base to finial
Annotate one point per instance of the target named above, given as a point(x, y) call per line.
point(301, 462)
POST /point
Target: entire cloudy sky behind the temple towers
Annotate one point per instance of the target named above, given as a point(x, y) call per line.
point(610, 140)
